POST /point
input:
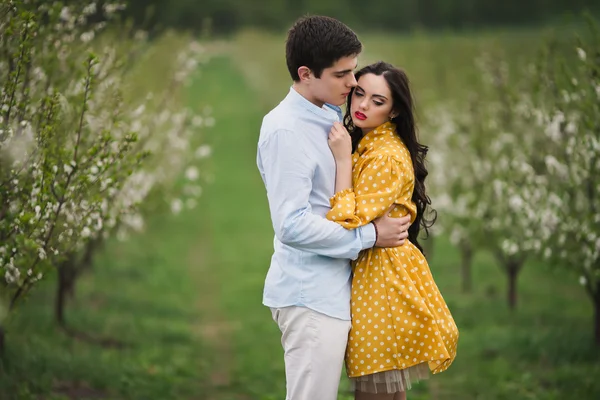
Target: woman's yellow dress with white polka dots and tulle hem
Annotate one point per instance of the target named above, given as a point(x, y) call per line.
point(400, 322)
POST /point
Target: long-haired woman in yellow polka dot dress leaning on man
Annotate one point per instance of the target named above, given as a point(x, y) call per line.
point(401, 326)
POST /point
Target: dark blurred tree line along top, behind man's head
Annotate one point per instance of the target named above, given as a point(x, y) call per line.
point(226, 16)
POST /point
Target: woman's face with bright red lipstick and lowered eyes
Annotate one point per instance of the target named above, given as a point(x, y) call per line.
point(371, 102)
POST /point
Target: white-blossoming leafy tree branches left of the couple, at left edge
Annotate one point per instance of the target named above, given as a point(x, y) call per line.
point(80, 149)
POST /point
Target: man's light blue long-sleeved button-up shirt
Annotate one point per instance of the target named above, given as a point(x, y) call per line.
point(310, 266)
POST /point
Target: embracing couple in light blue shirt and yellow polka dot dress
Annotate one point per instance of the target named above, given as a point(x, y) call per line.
point(348, 278)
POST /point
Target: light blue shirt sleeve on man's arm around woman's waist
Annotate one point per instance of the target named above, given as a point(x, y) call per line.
point(288, 172)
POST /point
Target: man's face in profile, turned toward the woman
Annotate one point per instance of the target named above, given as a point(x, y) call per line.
point(335, 83)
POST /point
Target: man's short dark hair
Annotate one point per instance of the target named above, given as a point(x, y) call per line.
point(317, 42)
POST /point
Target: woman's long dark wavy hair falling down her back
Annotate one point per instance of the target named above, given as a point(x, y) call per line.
point(403, 108)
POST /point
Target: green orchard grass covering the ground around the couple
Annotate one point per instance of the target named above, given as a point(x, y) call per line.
point(186, 295)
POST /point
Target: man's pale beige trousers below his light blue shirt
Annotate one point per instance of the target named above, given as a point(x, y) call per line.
point(314, 345)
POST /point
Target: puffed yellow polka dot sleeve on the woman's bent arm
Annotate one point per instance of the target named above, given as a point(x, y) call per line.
point(376, 188)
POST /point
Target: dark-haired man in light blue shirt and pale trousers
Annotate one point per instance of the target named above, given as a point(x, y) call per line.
point(308, 283)
